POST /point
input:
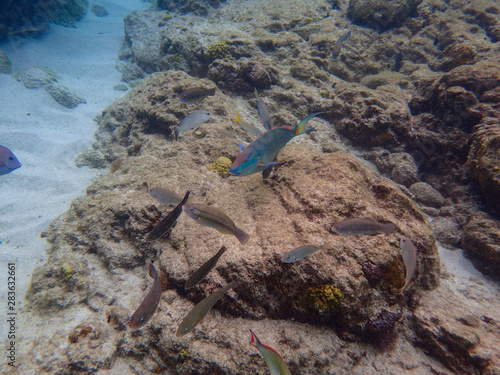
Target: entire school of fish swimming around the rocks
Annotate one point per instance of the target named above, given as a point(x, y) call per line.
point(258, 156)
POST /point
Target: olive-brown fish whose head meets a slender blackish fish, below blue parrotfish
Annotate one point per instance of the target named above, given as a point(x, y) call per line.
point(215, 218)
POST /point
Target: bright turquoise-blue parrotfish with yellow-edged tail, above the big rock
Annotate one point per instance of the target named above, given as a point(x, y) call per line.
point(262, 152)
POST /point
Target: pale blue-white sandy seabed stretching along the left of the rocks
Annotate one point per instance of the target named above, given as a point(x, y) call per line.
point(46, 137)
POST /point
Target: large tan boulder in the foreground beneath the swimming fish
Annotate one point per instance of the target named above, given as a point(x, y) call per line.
point(99, 253)
